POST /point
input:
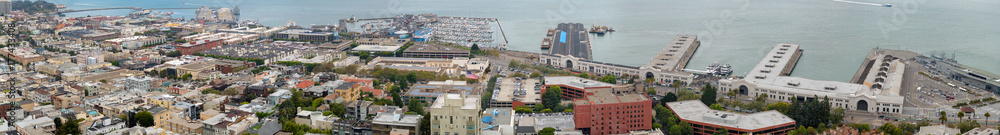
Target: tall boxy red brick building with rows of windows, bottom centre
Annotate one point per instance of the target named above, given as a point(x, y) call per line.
point(604, 111)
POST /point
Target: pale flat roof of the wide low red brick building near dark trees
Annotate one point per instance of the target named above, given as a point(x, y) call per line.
point(694, 110)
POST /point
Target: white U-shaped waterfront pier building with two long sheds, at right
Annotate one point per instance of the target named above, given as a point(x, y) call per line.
point(878, 92)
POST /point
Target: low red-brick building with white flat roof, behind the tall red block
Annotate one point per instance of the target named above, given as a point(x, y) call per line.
point(574, 87)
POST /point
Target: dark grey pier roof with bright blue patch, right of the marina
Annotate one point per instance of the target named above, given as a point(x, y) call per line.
point(571, 39)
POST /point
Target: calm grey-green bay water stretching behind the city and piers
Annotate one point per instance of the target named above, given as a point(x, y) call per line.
point(835, 35)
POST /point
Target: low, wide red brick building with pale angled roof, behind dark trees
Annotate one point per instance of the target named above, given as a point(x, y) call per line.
point(707, 121)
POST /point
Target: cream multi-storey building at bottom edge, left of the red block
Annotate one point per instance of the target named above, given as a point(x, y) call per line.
point(455, 114)
